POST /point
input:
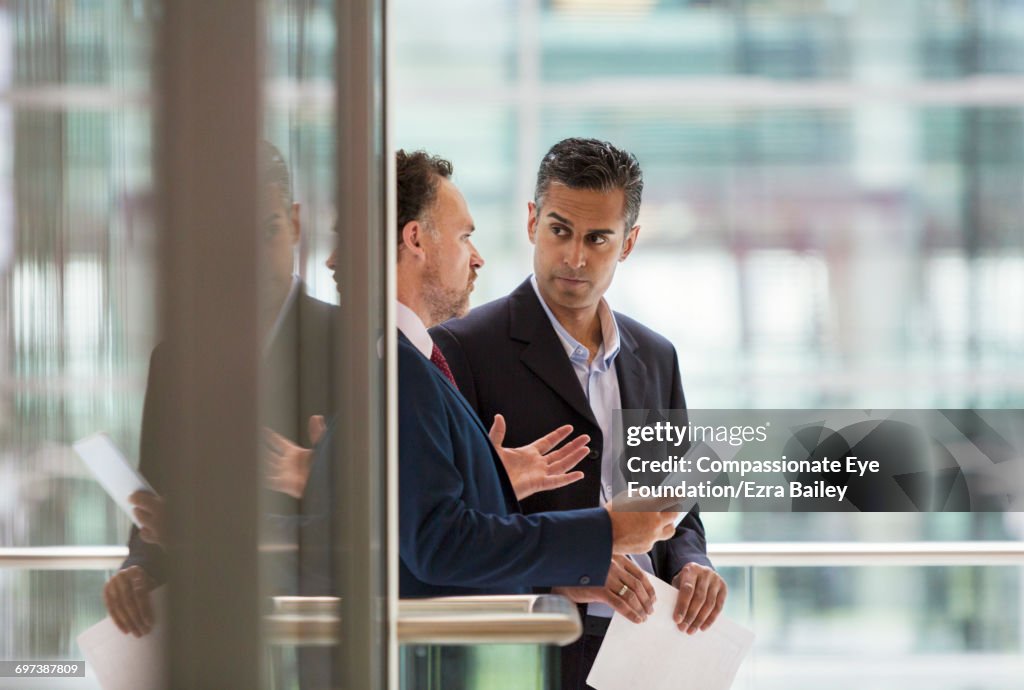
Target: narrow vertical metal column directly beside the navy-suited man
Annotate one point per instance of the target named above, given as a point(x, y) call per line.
point(366, 658)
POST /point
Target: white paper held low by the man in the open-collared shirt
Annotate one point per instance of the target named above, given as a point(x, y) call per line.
point(655, 656)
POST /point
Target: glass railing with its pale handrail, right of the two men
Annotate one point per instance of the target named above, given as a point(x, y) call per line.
point(883, 616)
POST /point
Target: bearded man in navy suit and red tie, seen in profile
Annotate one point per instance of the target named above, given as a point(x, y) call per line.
point(461, 531)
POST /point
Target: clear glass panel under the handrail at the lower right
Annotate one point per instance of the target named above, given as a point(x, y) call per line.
point(882, 627)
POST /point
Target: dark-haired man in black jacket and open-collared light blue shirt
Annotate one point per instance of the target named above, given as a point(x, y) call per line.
point(553, 353)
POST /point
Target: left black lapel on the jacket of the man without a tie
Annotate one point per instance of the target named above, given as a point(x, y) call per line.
point(544, 355)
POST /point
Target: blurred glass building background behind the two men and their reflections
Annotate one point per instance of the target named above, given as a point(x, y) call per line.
point(833, 219)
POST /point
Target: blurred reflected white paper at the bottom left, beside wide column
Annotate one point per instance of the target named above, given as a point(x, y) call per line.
point(123, 662)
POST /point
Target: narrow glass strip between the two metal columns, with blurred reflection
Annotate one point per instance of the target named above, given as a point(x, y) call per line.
point(298, 401)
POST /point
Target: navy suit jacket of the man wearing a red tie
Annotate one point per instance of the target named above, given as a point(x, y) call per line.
point(460, 532)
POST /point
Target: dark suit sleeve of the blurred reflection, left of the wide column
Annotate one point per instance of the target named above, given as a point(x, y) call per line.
point(151, 557)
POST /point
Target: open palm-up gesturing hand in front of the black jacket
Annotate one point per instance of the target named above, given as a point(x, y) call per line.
point(536, 467)
